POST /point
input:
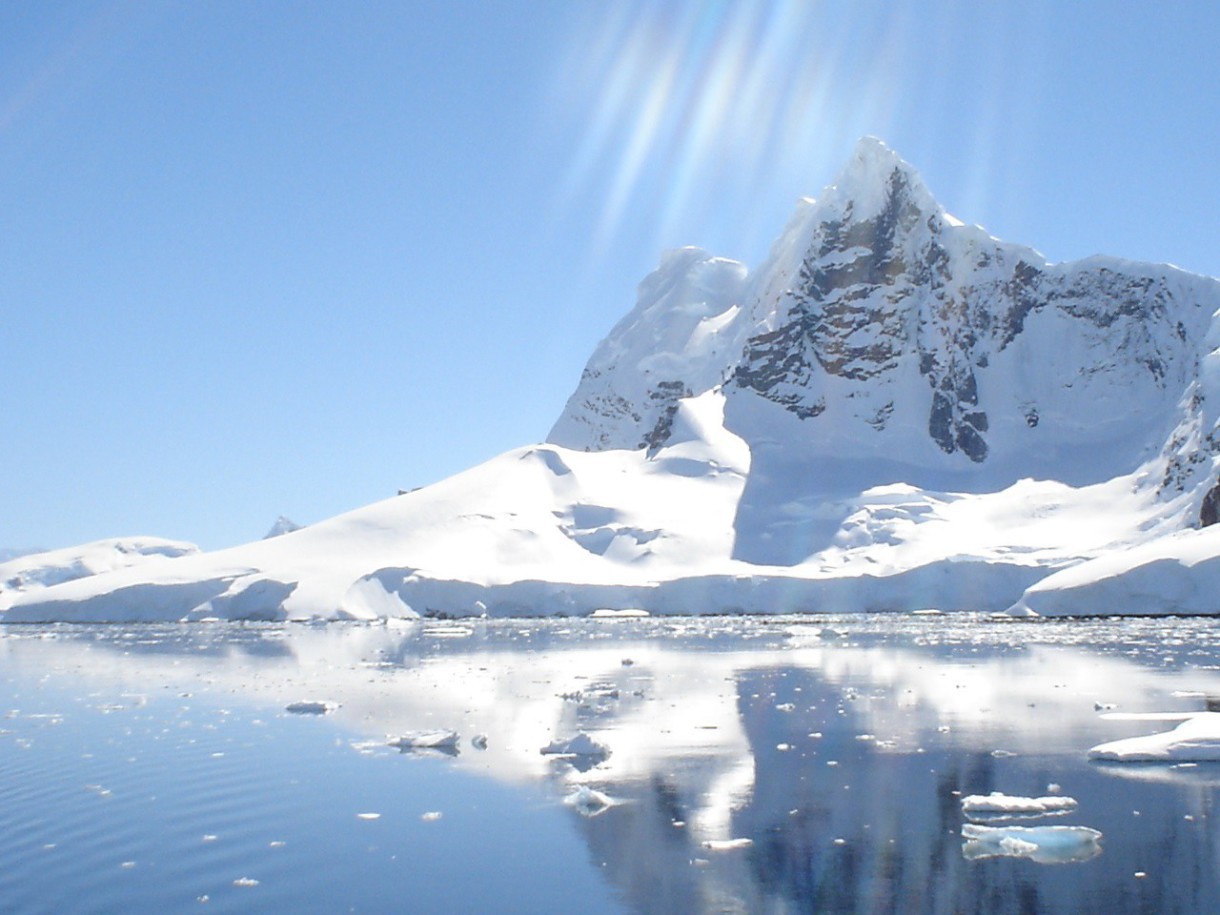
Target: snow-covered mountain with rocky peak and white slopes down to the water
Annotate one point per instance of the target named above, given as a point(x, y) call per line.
point(895, 412)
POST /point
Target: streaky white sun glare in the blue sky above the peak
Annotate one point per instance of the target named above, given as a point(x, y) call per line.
point(745, 98)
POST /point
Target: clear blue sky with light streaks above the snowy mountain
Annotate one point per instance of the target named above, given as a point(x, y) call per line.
point(285, 258)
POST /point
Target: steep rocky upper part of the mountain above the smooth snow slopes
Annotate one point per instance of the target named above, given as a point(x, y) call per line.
point(881, 326)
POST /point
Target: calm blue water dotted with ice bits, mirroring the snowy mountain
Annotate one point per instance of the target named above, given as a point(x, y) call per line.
point(756, 766)
